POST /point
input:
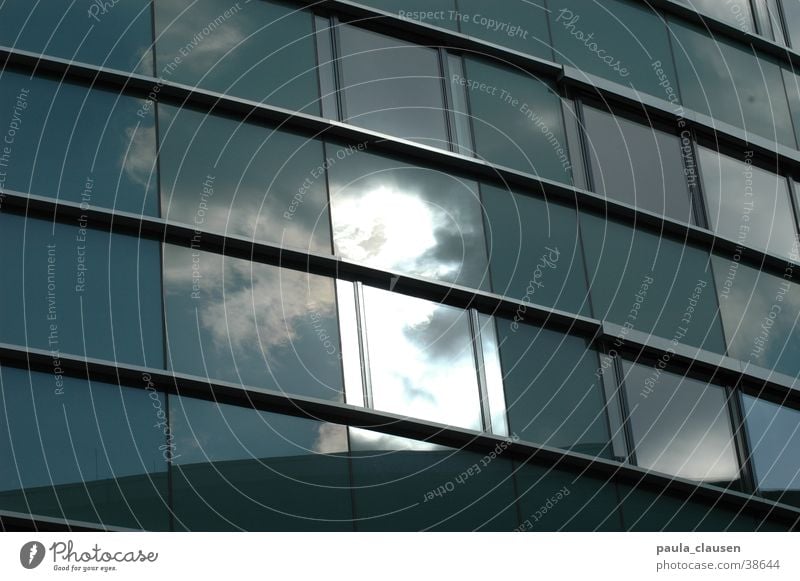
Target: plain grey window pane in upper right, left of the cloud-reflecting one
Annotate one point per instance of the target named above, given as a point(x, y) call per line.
point(637, 164)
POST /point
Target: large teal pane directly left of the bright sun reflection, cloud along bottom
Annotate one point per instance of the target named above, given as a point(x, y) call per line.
point(243, 179)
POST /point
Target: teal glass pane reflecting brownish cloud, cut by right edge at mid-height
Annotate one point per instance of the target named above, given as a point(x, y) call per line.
point(760, 313)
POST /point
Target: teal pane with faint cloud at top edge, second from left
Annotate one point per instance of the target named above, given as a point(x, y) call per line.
point(262, 50)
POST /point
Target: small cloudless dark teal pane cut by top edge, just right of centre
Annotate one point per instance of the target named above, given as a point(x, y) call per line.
point(516, 24)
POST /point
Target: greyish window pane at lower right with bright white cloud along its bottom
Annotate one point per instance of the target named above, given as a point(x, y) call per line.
point(680, 426)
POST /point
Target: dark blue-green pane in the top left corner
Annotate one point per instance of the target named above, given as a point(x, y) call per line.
point(116, 35)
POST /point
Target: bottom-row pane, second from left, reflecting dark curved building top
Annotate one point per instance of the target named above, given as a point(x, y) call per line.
point(240, 469)
